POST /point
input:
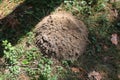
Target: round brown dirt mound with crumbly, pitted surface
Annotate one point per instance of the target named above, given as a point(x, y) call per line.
point(62, 36)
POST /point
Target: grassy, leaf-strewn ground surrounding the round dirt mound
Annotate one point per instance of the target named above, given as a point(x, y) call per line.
point(20, 59)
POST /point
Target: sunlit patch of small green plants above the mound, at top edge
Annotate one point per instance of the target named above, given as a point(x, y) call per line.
point(84, 7)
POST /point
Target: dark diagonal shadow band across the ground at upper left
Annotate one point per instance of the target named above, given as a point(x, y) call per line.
point(24, 18)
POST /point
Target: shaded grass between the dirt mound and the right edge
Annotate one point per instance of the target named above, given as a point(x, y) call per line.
point(101, 55)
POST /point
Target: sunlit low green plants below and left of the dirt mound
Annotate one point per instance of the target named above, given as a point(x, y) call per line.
point(18, 58)
